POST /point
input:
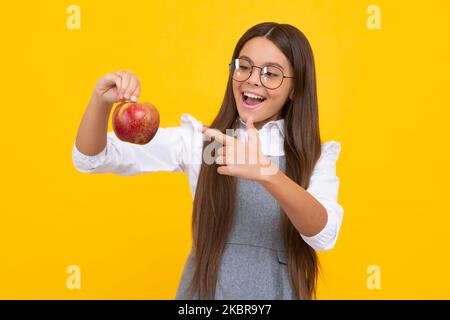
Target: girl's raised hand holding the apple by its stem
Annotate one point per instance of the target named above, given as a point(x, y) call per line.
point(120, 85)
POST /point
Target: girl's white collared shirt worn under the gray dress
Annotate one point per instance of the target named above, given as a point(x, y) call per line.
point(179, 149)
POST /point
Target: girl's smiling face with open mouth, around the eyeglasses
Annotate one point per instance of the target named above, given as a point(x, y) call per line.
point(262, 52)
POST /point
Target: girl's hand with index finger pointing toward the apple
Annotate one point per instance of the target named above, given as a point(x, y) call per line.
point(241, 159)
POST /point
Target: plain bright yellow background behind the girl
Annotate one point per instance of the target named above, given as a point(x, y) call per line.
point(382, 93)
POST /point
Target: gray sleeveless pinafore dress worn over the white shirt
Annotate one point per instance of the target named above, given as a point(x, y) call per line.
point(254, 260)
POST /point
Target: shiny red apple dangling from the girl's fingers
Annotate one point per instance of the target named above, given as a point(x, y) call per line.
point(135, 122)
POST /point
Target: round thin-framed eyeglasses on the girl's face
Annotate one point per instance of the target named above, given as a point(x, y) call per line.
point(271, 76)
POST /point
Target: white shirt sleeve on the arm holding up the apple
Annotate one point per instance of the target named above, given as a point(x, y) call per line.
point(169, 150)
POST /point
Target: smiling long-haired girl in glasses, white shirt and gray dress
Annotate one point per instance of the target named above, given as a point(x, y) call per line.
point(268, 199)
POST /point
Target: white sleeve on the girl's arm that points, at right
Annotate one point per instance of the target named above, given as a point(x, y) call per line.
point(324, 186)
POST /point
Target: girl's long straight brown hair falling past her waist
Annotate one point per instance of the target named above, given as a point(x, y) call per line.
point(213, 208)
